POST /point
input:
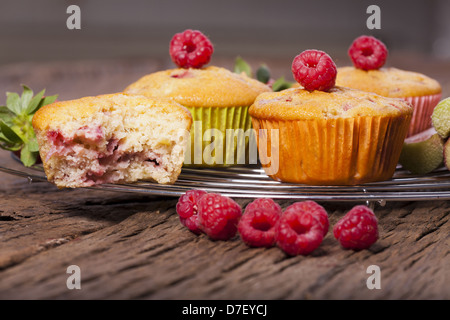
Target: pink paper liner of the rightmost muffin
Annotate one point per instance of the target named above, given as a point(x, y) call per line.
point(423, 109)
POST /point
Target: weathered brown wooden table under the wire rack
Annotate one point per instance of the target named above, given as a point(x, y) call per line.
point(132, 246)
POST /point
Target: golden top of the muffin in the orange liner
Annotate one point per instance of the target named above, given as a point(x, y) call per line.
point(339, 102)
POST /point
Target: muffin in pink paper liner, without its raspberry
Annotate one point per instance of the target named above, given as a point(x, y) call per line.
point(421, 91)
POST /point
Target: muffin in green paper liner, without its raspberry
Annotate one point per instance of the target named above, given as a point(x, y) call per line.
point(218, 100)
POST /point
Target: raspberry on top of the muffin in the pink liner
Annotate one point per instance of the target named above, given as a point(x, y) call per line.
point(368, 53)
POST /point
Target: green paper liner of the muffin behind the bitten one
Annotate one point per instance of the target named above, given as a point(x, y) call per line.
point(220, 137)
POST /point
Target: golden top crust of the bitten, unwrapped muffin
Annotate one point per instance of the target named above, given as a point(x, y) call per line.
point(60, 112)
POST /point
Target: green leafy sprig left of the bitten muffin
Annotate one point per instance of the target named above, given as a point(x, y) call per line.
point(16, 130)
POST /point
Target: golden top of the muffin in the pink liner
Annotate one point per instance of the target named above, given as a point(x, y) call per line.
point(388, 82)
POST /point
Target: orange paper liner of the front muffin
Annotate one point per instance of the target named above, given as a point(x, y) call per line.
point(341, 151)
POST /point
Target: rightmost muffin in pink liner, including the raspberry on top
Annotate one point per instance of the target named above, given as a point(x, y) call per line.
point(368, 55)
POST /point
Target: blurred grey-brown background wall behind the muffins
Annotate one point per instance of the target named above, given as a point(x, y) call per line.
point(35, 30)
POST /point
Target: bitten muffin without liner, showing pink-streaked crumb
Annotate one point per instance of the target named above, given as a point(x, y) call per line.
point(115, 138)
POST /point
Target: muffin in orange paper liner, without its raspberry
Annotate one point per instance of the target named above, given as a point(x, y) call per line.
point(342, 136)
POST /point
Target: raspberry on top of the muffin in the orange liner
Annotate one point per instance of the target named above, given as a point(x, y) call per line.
point(314, 70)
